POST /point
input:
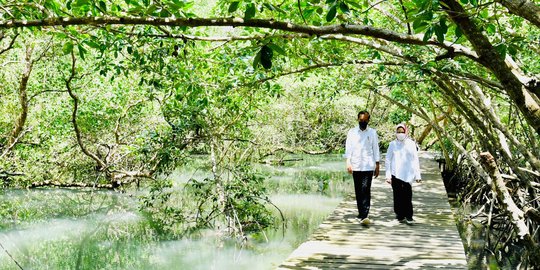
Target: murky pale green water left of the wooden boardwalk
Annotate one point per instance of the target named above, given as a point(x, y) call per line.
point(73, 229)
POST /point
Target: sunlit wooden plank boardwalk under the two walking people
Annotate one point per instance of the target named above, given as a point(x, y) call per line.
point(433, 242)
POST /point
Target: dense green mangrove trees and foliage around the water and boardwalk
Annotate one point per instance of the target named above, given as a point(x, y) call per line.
point(113, 94)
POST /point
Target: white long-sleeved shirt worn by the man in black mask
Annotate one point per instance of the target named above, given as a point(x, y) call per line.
point(362, 148)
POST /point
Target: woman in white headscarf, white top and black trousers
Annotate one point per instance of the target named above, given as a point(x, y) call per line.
point(402, 168)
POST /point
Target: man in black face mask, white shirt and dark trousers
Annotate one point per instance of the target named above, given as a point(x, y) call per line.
point(362, 153)
